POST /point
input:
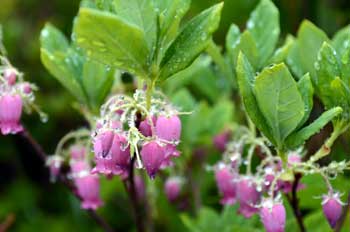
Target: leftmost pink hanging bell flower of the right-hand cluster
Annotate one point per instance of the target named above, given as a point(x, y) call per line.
point(225, 180)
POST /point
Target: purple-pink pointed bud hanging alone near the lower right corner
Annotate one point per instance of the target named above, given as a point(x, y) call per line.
point(332, 208)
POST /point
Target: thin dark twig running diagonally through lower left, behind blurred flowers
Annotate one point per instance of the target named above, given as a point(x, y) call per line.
point(25, 134)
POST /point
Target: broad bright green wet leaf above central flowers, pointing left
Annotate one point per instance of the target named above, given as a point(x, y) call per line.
point(112, 41)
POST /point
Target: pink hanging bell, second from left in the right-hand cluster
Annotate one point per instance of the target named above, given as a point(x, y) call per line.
point(248, 197)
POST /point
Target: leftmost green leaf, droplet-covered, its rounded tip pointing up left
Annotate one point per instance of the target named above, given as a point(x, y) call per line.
point(55, 55)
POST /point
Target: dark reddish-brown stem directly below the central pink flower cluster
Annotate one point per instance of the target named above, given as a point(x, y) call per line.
point(130, 188)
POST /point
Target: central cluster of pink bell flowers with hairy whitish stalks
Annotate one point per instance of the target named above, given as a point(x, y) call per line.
point(126, 127)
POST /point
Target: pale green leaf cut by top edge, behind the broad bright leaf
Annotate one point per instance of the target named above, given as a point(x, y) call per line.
point(140, 13)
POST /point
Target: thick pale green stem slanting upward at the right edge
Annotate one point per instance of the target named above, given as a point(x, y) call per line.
point(339, 128)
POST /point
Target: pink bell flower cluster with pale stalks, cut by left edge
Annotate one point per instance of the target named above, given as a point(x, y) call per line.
point(15, 94)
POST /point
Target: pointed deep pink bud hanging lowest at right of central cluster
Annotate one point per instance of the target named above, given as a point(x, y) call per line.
point(153, 154)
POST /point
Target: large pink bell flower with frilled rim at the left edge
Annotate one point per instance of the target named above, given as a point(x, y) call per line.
point(10, 114)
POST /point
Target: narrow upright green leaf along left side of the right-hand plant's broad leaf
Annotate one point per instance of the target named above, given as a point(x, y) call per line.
point(246, 78)
